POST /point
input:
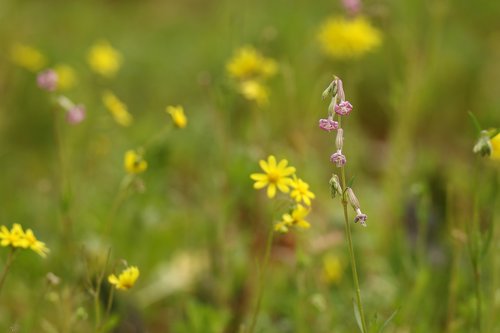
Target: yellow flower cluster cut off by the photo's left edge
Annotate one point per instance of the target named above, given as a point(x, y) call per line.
point(16, 237)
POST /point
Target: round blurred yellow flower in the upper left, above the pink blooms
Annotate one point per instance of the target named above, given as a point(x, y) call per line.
point(104, 59)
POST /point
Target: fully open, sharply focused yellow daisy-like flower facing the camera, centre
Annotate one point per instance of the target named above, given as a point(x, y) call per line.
point(275, 176)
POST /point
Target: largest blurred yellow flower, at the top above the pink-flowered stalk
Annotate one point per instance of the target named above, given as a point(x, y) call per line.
point(341, 38)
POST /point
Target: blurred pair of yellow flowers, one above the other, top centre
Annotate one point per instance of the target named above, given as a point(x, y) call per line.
point(250, 69)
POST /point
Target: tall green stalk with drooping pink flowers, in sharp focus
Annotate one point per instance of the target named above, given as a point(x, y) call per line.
point(338, 109)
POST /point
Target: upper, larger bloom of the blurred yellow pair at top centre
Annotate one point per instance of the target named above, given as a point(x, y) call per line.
point(247, 63)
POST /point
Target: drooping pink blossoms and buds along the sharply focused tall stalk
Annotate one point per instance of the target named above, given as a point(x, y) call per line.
point(339, 107)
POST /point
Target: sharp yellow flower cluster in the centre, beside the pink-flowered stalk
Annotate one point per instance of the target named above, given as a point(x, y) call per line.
point(278, 176)
